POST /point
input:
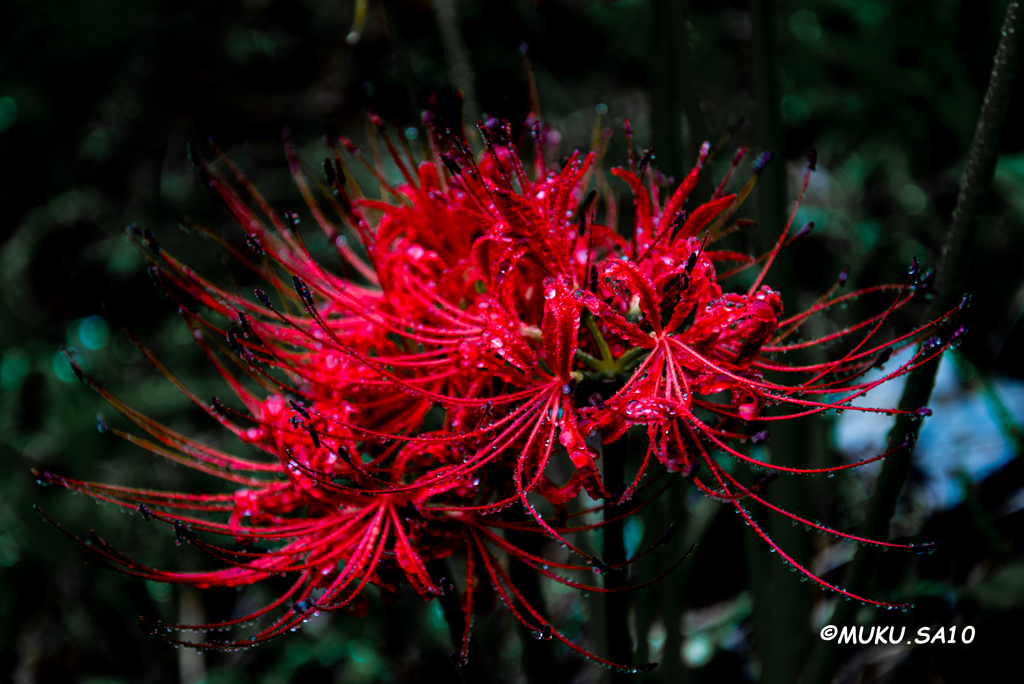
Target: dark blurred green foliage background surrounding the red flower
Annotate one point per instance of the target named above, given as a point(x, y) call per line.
point(98, 101)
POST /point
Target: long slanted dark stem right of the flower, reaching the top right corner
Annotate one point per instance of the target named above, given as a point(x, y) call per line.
point(955, 263)
